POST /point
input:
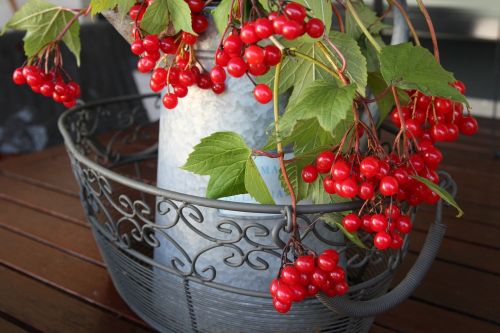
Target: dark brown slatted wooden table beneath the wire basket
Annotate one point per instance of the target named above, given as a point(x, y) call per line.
point(52, 277)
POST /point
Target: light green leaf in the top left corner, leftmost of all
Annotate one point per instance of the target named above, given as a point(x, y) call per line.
point(43, 22)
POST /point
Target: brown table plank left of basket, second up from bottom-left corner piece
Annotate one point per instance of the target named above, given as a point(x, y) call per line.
point(63, 271)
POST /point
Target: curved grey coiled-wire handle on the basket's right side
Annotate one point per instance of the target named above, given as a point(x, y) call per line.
point(407, 286)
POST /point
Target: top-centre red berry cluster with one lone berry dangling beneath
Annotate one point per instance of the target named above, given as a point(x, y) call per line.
point(240, 53)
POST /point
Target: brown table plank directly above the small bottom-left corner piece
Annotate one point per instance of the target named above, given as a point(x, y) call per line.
point(51, 310)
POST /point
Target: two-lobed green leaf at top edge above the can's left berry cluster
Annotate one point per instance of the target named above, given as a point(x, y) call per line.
point(161, 13)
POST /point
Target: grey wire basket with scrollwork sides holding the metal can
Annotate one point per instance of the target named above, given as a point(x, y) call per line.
point(113, 152)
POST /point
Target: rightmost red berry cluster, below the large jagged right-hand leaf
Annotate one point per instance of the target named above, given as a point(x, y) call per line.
point(431, 119)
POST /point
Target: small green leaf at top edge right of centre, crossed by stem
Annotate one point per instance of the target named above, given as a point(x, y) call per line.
point(368, 17)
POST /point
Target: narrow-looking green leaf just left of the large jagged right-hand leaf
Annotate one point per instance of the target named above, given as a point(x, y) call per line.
point(356, 62)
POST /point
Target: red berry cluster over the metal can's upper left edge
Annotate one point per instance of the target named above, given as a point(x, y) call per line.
point(182, 72)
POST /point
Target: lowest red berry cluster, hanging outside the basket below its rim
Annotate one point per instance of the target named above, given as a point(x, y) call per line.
point(307, 276)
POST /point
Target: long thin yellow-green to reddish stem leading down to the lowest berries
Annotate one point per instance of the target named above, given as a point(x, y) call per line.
point(279, 146)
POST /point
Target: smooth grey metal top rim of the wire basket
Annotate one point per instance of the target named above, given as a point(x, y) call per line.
point(183, 197)
